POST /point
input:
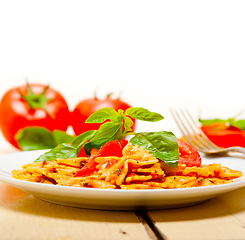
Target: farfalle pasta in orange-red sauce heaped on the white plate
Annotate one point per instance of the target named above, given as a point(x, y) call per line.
point(136, 169)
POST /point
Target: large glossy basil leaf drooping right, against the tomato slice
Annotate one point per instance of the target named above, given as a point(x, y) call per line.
point(162, 144)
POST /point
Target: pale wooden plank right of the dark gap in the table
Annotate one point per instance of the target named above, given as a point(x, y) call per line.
point(220, 218)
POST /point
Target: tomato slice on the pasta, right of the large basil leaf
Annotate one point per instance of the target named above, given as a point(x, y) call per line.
point(188, 154)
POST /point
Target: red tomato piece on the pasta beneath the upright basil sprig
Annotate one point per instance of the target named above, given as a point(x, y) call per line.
point(112, 148)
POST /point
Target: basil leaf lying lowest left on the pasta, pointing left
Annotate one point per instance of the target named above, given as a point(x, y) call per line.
point(62, 151)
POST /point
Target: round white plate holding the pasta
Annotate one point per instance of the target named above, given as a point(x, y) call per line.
point(118, 199)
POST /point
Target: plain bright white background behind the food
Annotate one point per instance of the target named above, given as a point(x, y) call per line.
point(156, 53)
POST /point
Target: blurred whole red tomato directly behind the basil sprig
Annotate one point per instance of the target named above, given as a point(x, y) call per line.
point(86, 107)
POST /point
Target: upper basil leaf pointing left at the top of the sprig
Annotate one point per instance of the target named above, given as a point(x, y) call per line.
point(102, 115)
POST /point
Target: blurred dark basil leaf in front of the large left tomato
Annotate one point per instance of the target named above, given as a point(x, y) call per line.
point(34, 138)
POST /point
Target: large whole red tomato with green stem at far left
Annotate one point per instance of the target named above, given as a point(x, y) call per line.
point(47, 108)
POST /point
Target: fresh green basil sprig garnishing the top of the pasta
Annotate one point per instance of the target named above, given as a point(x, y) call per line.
point(118, 125)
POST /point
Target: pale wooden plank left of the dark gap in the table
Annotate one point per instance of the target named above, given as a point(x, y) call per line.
point(22, 216)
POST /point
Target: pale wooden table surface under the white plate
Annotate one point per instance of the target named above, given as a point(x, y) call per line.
point(24, 217)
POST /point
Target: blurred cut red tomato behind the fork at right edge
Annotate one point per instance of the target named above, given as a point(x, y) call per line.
point(225, 137)
